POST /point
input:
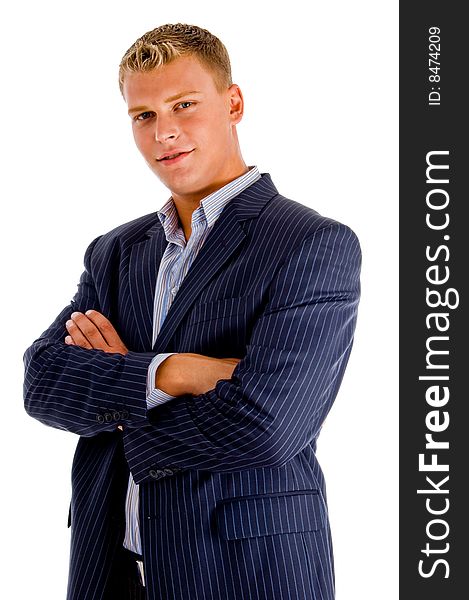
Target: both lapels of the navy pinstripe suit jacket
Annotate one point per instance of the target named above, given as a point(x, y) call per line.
point(223, 240)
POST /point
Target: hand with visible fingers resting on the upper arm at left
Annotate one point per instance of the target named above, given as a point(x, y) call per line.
point(93, 331)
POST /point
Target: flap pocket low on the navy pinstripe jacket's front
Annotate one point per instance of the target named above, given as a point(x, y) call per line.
point(268, 514)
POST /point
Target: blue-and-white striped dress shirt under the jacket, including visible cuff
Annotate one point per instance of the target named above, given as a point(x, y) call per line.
point(175, 263)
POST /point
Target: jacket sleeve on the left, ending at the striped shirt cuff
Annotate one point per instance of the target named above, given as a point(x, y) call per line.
point(79, 390)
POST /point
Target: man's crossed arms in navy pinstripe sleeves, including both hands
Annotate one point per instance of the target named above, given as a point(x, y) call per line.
point(261, 413)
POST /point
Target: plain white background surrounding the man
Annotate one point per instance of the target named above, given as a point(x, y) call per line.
point(320, 87)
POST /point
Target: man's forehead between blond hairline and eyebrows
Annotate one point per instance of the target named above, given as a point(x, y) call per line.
point(183, 73)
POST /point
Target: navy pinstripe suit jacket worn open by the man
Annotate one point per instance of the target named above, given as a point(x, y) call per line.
point(232, 498)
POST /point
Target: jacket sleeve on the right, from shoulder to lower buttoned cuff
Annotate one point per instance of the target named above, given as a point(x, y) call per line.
point(281, 391)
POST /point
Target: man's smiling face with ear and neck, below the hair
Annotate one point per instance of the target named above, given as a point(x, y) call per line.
point(176, 109)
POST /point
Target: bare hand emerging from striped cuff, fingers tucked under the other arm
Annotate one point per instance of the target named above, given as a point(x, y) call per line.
point(190, 373)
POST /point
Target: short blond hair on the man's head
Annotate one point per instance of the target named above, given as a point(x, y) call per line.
point(162, 45)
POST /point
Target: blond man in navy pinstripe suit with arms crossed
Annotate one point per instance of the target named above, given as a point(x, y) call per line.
point(199, 358)
